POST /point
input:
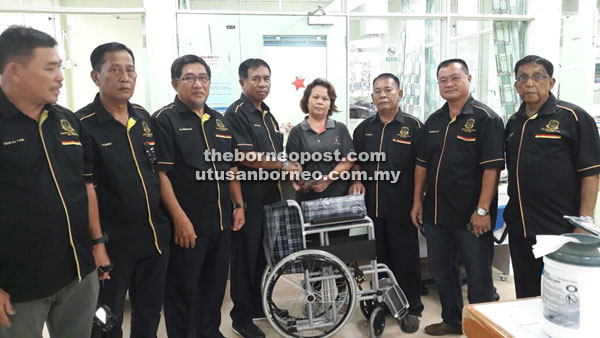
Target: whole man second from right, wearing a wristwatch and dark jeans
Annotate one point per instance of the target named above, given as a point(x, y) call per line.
point(458, 165)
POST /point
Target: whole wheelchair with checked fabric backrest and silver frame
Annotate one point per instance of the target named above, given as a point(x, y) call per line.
point(312, 291)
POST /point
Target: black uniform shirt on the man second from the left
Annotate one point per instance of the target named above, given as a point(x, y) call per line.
point(120, 161)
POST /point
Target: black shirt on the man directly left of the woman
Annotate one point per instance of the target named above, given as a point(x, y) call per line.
point(255, 130)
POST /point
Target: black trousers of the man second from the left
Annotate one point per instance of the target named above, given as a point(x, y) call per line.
point(145, 280)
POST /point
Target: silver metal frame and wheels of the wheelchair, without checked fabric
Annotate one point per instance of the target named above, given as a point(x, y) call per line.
point(386, 298)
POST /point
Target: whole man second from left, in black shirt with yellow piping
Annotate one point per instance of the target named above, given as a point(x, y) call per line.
point(118, 145)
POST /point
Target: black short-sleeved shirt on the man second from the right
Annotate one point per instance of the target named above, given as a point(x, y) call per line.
point(455, 152)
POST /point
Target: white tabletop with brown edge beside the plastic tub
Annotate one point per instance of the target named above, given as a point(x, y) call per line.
point(517, 318)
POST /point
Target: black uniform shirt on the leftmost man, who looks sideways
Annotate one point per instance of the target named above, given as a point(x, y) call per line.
point(44, 234)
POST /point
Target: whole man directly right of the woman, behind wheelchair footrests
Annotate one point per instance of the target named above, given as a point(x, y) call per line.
point(394, 133)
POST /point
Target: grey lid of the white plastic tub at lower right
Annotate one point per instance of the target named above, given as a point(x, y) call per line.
point(585, 253)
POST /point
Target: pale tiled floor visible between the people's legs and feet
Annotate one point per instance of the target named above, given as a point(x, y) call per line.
point(358, 326)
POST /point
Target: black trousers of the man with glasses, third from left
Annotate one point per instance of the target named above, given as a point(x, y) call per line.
point(195, 287)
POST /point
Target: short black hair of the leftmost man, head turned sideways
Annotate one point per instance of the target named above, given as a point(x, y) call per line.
point(18, 42)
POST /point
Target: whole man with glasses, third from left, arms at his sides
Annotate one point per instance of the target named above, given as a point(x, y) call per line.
point(201, 209)
